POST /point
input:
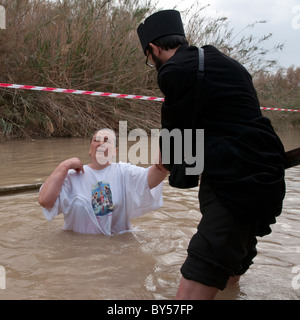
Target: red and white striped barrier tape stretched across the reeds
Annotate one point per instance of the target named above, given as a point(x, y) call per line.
point(104, 94)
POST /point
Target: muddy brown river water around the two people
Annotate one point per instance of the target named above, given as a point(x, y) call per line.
point(44, 262)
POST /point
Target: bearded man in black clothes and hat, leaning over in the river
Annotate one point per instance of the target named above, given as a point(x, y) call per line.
point(242, 185)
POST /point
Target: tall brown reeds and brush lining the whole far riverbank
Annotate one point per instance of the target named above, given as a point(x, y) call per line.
point(92, 45)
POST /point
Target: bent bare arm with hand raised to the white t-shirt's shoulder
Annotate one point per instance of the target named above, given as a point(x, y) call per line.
point(52, 186)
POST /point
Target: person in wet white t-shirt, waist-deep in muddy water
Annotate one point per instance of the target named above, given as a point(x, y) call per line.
point(102, 196)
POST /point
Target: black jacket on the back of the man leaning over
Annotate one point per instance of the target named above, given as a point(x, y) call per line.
point(244, 159)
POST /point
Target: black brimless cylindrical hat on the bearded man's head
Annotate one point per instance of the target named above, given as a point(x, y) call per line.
point(160, 24)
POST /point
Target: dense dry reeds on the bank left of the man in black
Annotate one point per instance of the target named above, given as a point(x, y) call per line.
point(86, 45)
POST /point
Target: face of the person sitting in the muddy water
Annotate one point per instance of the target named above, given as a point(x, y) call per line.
point(103, 147)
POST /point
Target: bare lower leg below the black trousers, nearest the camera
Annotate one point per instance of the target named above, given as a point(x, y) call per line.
point(192, 290)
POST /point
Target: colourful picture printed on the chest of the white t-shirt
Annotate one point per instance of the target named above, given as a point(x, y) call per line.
point(102, 199)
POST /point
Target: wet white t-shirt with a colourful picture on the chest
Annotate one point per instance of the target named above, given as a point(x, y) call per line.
point(104, 201)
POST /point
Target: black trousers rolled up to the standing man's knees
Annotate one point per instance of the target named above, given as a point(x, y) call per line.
point(223, 245)
